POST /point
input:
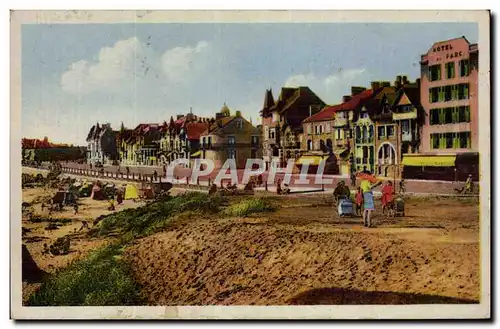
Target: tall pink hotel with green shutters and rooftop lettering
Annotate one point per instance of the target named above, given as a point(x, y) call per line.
point(448, 94)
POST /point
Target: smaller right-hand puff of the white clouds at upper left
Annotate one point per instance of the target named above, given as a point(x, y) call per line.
point(180, 61)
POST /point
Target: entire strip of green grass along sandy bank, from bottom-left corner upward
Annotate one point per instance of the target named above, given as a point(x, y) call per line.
point(103, 278)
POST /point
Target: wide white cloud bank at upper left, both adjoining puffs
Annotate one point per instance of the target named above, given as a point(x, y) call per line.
point(123, 67)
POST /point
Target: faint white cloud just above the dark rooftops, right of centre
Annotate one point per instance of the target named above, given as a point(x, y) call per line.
point(331, 88)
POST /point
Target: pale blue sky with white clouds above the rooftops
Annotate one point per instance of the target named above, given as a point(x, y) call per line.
point(74, 75)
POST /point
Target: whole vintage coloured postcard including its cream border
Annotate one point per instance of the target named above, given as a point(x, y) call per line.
point(250, 165)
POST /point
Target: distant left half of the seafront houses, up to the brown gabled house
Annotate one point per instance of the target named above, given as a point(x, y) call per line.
point(227, 135)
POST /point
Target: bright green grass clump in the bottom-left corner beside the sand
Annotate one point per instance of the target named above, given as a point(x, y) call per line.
point(100, 280)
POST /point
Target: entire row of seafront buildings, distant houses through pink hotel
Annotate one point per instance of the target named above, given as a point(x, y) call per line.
point(426, 128)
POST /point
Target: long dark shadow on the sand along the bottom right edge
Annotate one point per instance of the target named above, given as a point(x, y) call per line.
point(340, 296)
